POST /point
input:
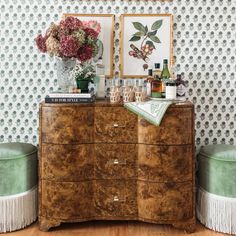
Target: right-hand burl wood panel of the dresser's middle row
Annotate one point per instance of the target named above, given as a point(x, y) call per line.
point(165, 163)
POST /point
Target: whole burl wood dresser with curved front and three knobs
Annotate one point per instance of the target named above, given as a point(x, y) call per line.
point(101, 162)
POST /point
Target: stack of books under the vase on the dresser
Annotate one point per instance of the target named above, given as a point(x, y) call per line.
point(62, 97)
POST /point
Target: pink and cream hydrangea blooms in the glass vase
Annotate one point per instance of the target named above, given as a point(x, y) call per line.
point(71, 38)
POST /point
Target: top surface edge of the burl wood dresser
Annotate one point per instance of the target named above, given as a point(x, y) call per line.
point(106, 103)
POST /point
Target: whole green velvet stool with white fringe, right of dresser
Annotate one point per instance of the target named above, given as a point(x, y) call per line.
point(216, 200)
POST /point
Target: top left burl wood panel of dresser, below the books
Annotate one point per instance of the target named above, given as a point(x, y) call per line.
point(67, 125)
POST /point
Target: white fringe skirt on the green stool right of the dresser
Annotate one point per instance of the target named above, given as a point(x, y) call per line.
point(216, 212)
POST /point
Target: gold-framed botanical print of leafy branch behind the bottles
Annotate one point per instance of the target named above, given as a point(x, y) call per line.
point(145, 39)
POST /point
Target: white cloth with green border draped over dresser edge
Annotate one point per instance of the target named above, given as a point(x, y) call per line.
point(152, 111)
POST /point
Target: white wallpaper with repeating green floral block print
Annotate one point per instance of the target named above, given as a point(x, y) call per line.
point(204, 49)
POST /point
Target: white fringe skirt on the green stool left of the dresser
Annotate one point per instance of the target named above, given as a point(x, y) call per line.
point(17, 211)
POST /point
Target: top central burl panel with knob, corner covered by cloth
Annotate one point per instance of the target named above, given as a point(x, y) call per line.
point(115, 124)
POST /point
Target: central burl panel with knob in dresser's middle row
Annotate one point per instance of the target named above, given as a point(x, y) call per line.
point(115, 161)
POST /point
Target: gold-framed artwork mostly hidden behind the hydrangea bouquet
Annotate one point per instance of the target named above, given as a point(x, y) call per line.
point(106, 37)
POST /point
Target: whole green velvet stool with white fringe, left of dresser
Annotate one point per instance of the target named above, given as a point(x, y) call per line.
point(18, 185)
